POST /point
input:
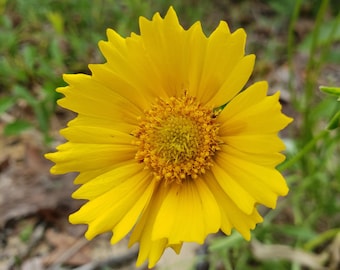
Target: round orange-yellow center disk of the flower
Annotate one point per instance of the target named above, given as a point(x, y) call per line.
point(177, 139)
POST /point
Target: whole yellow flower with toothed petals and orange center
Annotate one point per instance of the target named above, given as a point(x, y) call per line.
point(165, 143)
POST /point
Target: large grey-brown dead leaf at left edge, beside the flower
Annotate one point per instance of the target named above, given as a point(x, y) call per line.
point(24, 194)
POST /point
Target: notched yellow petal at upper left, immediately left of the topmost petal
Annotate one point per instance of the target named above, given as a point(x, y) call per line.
point(128, 71)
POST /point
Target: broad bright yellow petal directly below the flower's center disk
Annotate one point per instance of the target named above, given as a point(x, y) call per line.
point(183, 217)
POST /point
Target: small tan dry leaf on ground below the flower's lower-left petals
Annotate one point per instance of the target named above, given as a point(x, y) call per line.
point(67, 249)
